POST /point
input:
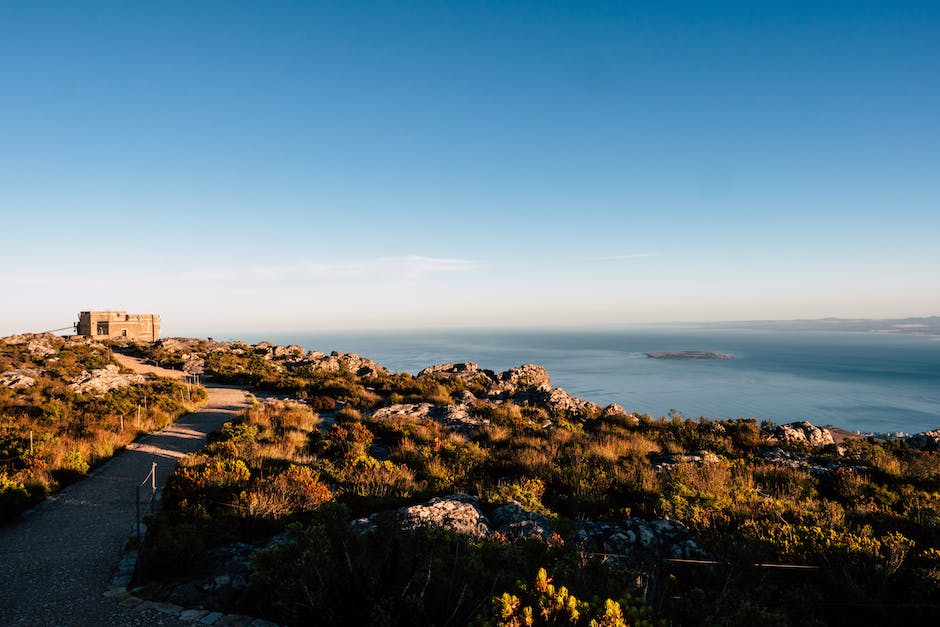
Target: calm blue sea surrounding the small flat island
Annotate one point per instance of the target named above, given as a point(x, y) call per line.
point(859, 381)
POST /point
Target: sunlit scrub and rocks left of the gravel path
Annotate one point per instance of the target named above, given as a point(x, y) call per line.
point(50, 434)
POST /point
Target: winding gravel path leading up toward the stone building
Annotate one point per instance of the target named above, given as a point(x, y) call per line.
point(57, 562)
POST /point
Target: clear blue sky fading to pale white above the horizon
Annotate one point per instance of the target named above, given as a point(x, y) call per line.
point(261, 166)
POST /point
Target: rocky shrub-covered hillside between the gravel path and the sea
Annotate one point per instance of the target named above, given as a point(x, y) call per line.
point(370, 497)
